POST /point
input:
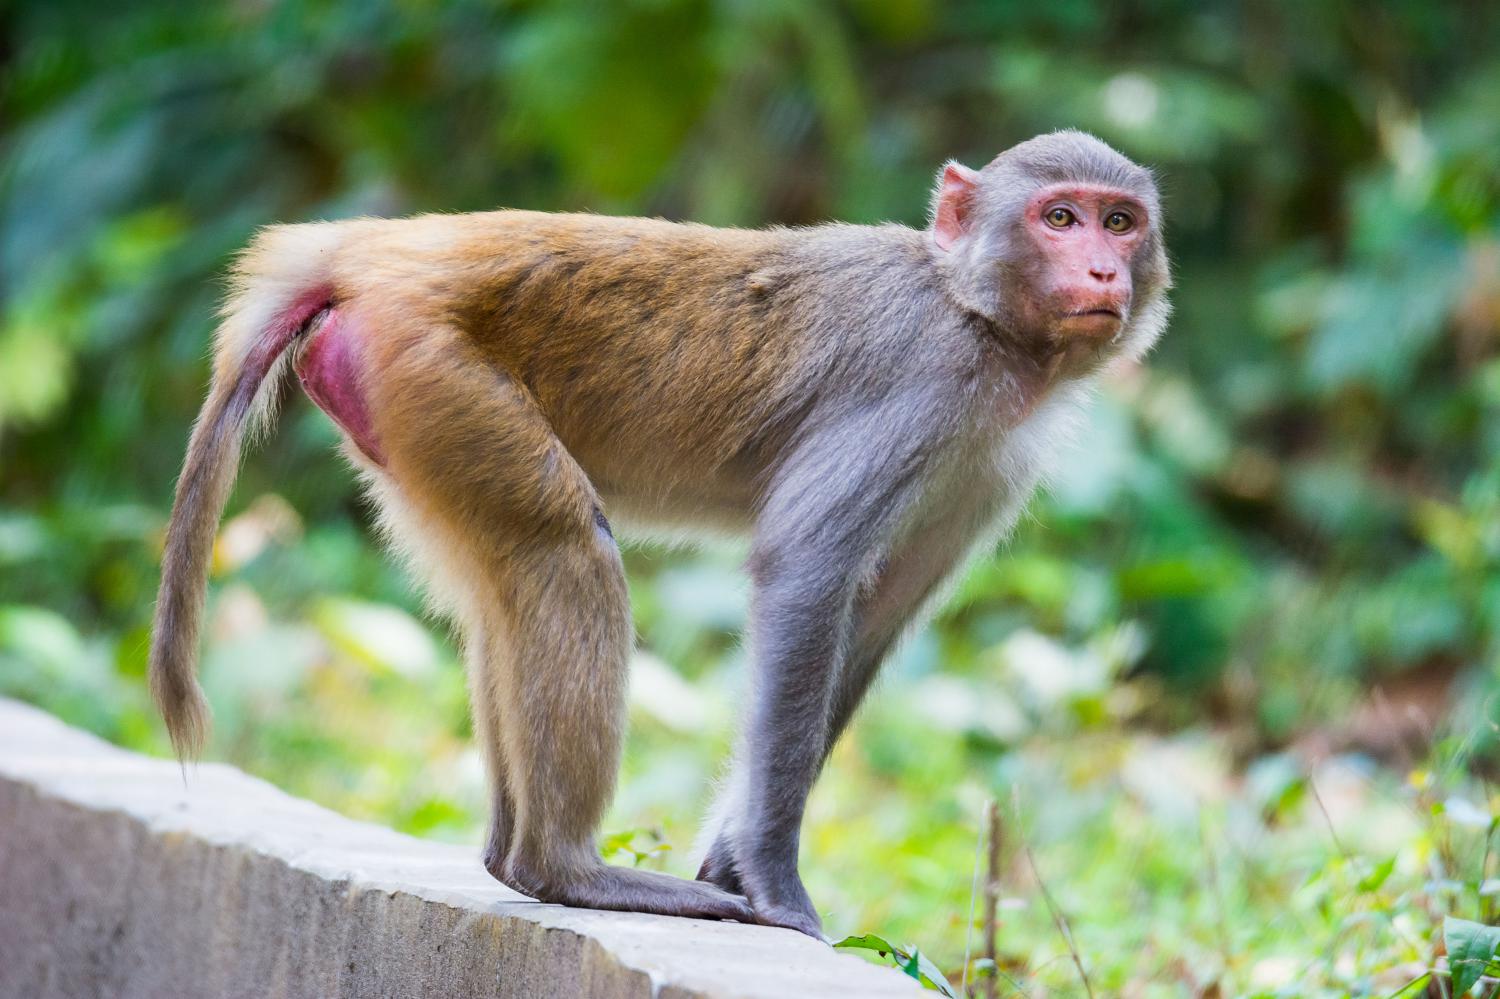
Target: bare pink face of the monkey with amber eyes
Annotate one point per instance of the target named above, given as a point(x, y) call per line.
point(1087, 238)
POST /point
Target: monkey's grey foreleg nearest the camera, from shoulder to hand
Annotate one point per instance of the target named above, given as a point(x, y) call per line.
point(818, 538)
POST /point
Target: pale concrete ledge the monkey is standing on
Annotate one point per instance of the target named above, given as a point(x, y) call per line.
point(119, 881)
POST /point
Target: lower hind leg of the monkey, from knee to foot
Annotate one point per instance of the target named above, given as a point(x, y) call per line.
point(559, 694)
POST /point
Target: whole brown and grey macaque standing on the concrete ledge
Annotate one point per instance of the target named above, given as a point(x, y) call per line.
point(868, 404)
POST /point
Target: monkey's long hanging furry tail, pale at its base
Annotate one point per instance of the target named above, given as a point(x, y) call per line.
point(280, 287)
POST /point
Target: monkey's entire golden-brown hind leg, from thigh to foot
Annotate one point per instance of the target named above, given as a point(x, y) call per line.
point(542, 599)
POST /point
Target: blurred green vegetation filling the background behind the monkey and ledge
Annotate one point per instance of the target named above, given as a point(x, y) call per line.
point(1234, 683)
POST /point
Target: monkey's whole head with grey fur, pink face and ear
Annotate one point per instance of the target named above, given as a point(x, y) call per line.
point(1058, 238)
